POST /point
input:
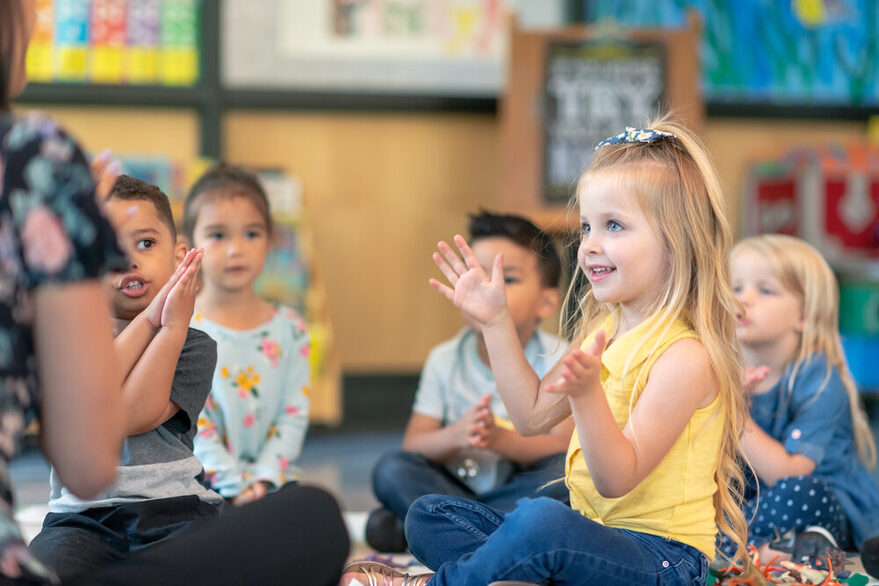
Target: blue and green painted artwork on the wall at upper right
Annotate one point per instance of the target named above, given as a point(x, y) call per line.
point(797, 53)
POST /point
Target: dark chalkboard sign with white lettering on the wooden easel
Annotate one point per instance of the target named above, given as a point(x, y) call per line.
point(591, 90)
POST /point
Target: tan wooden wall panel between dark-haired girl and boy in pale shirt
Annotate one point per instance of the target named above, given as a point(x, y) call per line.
point(380, 190)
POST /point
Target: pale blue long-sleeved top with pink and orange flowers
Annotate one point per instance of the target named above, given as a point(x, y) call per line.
point(255, 419)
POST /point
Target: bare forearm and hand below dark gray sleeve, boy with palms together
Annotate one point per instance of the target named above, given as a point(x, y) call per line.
point(147, 389)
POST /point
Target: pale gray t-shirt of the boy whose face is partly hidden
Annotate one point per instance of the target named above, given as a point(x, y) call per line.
point(454, 378)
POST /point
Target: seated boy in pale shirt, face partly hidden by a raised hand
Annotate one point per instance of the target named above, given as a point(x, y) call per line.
point(458, 440)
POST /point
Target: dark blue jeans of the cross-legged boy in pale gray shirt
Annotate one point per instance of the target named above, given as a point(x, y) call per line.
point(399, 478)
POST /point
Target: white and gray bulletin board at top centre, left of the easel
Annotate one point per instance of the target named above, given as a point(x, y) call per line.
point(426, 47)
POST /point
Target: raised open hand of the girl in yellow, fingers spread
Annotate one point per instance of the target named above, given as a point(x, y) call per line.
point(478, 296)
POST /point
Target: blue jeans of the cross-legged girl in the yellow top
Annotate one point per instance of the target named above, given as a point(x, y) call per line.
point(542, 541)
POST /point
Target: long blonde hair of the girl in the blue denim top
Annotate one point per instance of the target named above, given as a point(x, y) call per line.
point(803, 272)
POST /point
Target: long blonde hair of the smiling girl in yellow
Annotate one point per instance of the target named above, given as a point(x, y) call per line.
point(679, 191)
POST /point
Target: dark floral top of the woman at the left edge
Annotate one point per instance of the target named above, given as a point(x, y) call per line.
point(51, 231)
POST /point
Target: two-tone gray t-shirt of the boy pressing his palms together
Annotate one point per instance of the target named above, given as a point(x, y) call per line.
point(159, 463)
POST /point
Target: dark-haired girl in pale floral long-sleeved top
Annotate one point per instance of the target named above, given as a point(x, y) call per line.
point(253, 425)
